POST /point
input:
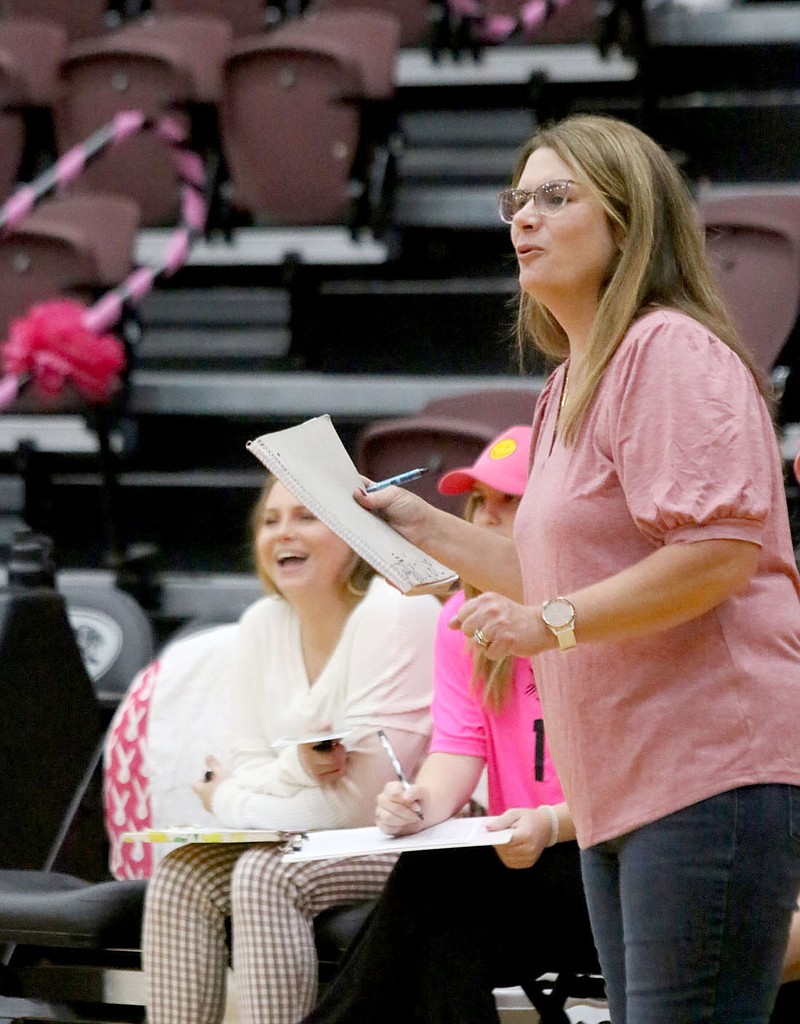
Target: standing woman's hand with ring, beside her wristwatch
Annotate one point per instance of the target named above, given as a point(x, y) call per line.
point(506, 627)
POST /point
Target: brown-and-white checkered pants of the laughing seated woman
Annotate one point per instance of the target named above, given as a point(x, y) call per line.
point(272, 905)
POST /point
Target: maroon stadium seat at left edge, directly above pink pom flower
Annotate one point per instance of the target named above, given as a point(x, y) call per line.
point(73, 246)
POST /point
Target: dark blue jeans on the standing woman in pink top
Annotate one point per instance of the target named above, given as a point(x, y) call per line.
point(691, 914)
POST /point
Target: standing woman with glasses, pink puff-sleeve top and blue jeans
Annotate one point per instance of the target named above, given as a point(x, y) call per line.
point(652, 580)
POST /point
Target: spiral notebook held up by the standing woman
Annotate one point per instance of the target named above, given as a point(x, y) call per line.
point(312, 461)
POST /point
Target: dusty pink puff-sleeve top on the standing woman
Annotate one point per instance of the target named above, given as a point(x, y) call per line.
point(678, 447)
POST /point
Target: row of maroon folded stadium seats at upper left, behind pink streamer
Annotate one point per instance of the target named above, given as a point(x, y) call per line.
point(273, 115)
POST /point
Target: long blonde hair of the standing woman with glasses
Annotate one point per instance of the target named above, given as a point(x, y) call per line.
point(662, 258)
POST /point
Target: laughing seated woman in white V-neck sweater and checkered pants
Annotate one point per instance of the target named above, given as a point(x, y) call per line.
point(333, 648)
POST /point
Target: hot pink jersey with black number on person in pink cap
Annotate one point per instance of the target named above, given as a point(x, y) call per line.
point(520, 773)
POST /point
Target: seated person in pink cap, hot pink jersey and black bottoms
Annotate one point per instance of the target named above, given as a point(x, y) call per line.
point(453, 925)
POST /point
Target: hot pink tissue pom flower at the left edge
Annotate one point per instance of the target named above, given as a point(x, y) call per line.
point(53, 345)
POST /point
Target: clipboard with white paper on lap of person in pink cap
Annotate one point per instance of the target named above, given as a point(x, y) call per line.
point(361, 842)
